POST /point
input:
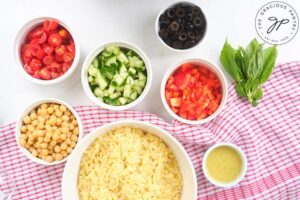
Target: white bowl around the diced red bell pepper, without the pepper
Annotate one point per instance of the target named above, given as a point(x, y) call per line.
point(212, 68)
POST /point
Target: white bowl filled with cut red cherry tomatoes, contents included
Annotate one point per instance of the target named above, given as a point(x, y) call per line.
point(46, 51)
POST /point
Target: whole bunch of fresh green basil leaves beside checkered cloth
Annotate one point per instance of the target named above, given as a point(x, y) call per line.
point(250, 68)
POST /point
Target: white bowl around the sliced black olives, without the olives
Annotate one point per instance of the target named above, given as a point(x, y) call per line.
point(157, 25)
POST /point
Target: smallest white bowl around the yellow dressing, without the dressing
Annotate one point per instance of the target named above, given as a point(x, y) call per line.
point(244, 163)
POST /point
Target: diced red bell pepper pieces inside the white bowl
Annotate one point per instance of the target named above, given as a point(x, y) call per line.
point(193, 92)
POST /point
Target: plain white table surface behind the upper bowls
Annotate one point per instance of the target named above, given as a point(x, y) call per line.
point(99, 21)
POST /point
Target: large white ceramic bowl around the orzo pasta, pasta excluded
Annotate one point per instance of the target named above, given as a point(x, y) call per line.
point(70, 175)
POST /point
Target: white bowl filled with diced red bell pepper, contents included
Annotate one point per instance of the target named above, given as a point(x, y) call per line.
point(194, 91)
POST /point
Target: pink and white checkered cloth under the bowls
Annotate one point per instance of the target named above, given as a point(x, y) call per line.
point(269, 134)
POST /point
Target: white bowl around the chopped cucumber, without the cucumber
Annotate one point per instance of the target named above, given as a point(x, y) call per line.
point(93, 54)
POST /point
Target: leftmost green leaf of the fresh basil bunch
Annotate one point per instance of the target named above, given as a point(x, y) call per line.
point(227, 59)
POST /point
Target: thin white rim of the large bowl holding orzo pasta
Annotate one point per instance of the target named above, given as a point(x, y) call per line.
point(131, 123)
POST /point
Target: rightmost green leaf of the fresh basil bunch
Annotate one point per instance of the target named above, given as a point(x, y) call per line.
point(269, 55)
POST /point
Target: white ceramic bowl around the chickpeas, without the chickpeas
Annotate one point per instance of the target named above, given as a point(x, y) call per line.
point(27, 111)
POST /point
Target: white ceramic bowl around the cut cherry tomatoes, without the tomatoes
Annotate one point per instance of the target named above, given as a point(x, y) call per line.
point(20, 38)
